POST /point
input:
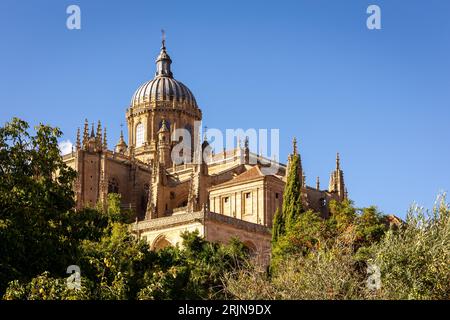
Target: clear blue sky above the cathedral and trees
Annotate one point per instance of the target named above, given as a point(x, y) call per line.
point(310, 68)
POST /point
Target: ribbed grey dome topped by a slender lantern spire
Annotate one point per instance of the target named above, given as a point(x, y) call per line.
point(163, 87)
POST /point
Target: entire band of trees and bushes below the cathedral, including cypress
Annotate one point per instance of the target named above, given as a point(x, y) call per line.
point(313, 258)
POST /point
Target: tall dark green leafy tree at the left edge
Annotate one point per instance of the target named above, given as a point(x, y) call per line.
point(35, 196)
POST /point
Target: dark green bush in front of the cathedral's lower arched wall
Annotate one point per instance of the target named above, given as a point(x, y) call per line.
point(196, 270)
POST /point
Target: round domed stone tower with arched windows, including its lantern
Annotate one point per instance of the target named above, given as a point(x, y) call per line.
point(162, 98)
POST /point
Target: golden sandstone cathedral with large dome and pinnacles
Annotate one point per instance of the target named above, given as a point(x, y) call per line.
point(226, 195)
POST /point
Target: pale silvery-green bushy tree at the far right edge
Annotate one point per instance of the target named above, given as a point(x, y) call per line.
point(414, 261)
